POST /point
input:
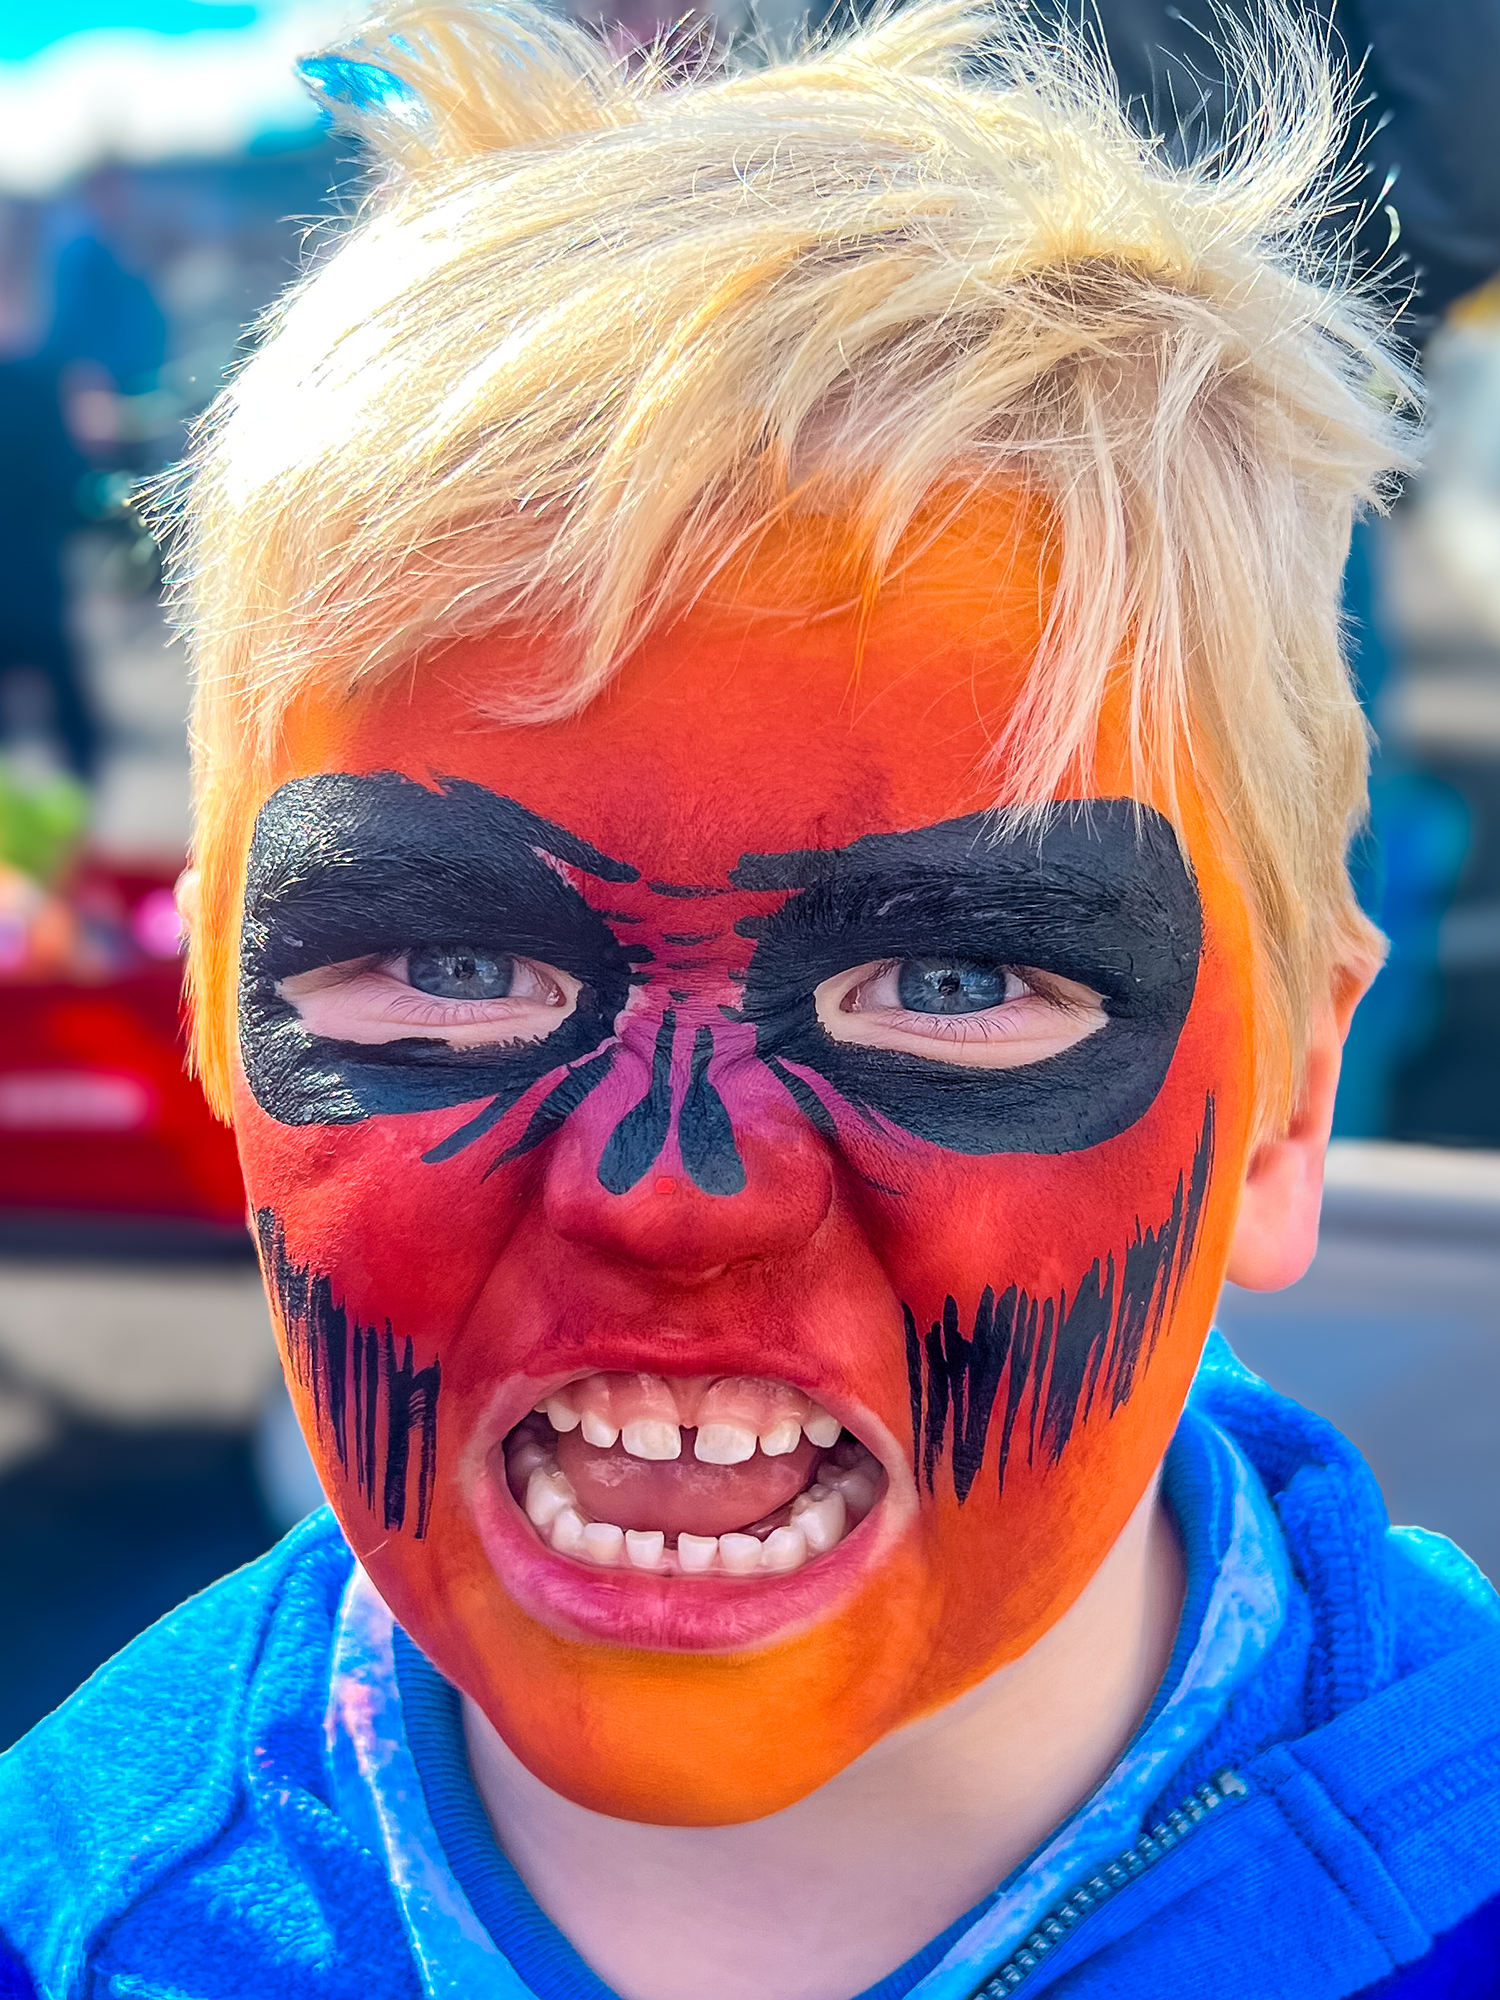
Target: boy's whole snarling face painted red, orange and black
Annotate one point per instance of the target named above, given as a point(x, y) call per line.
point(705, 1073)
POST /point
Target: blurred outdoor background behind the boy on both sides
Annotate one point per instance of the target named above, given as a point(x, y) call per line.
point(161, 179)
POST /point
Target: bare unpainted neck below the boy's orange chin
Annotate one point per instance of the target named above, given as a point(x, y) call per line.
point(825, 1899)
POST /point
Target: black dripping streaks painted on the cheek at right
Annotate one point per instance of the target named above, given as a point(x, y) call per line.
point(1059, 1353)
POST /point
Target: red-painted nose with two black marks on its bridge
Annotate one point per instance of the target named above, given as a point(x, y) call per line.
point(709, 1167)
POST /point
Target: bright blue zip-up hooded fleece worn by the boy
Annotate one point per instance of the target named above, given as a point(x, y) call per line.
point(173, 1831)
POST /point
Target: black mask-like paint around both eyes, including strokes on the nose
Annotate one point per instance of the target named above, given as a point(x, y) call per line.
point(349, 867)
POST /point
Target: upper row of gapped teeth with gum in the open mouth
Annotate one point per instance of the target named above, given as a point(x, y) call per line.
point(649, 1415)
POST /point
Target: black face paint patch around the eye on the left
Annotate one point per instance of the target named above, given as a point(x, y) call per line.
point(347, 867)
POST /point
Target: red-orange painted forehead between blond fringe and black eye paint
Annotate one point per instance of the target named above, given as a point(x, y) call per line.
point(751, 723)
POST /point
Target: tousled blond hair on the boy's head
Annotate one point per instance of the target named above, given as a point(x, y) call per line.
point(601, 325)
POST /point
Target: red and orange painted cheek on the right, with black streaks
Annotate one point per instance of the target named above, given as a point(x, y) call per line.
point(1055, 1313)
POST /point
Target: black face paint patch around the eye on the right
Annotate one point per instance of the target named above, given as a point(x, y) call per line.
point(1101, 897)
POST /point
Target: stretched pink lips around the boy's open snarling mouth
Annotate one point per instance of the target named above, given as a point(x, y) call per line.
point(675, 1613)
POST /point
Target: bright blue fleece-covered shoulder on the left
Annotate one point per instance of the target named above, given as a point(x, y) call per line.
point(173, 1813)
